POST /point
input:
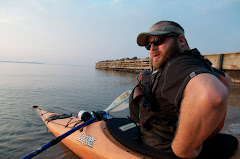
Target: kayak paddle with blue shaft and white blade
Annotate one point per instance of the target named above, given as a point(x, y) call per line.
point(118, 104)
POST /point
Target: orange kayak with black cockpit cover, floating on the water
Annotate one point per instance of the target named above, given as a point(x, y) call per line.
point(106, 139)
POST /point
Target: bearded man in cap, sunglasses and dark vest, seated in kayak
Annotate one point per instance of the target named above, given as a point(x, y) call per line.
point(185, 99)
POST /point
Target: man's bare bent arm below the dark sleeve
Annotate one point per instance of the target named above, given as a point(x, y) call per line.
point(202, 109)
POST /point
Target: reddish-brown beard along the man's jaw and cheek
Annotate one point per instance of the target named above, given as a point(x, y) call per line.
point(173, 51)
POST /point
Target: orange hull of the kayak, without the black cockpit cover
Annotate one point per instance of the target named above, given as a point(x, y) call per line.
point(93, 141)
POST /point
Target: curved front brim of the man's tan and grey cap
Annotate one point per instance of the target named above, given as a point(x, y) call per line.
point(143, 37)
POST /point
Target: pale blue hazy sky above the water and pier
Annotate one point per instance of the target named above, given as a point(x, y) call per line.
point(83, 32)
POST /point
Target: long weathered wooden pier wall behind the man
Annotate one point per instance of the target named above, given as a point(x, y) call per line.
point(228, 62)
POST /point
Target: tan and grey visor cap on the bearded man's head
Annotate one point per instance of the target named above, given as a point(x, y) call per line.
point(155, 30)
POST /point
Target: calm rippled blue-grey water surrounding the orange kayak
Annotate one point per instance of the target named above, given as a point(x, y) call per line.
point(63, 89)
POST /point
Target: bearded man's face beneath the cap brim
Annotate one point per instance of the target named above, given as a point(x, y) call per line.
point(161, 54)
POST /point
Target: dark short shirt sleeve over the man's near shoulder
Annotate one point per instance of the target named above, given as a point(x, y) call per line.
point(176, 75)
